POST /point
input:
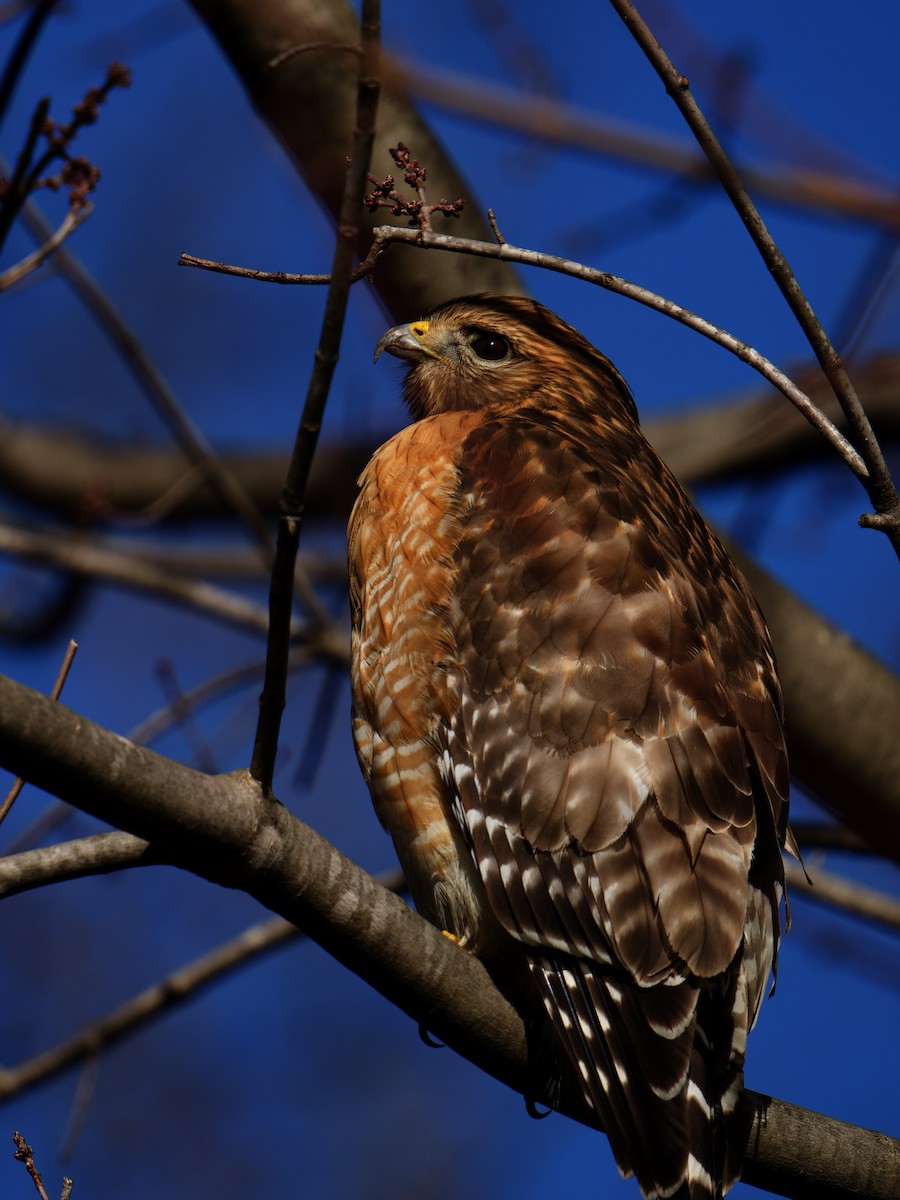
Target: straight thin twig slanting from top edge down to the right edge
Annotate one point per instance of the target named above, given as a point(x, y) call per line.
point(880, 484)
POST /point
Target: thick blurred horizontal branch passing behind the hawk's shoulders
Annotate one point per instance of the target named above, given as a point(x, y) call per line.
point(755, 431)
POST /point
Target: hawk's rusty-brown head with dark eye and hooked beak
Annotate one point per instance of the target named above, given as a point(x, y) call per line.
point(501, 353)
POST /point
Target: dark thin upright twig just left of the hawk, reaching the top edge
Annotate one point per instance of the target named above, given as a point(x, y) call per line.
point(272, 704)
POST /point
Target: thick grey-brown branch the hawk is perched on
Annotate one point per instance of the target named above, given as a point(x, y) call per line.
point(225, 830)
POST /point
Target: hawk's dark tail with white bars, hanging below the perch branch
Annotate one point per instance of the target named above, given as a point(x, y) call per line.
point(662, 1081)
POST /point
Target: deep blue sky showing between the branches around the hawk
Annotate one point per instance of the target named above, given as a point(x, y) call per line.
point(293, 1078)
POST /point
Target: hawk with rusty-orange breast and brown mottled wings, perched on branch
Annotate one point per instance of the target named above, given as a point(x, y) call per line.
point(567, 711)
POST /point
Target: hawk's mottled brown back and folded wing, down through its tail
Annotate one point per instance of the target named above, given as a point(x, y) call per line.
point(616, 747)
